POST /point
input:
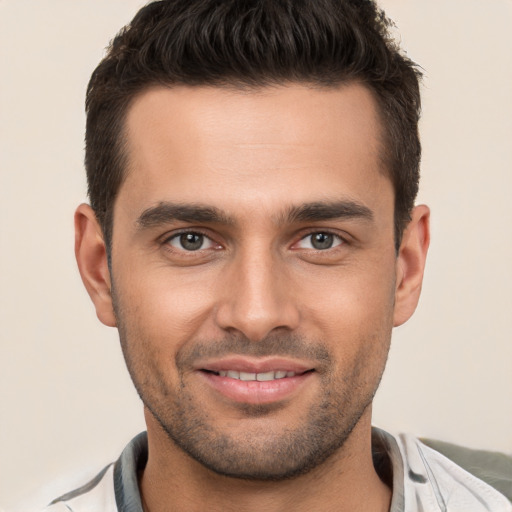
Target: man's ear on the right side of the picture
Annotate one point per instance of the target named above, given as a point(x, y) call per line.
point(411, 263)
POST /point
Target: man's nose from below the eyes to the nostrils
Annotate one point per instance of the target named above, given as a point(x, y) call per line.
point(258, 297)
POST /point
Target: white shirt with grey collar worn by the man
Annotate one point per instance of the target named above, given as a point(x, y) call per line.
point(423, 481)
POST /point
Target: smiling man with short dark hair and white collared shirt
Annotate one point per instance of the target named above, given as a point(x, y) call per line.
point(252, 233)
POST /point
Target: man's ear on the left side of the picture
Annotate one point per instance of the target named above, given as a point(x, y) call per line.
point(91, 256)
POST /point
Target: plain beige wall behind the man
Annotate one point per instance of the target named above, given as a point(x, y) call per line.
point(66, 403)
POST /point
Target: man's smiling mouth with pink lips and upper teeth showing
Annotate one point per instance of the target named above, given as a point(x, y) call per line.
point(256, 382)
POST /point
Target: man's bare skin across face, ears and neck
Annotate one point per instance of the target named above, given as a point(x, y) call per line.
point(250, 176)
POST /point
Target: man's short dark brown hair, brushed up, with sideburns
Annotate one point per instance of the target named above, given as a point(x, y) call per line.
point(253, 43)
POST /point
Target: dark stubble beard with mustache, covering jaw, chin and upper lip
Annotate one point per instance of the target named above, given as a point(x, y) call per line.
point(260, 453)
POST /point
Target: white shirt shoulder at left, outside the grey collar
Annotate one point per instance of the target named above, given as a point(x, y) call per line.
point(98, 494)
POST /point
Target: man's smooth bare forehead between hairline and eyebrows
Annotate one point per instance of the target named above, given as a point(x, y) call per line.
point(288, 143)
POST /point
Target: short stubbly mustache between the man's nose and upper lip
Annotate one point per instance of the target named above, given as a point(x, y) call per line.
point(275, 345)
